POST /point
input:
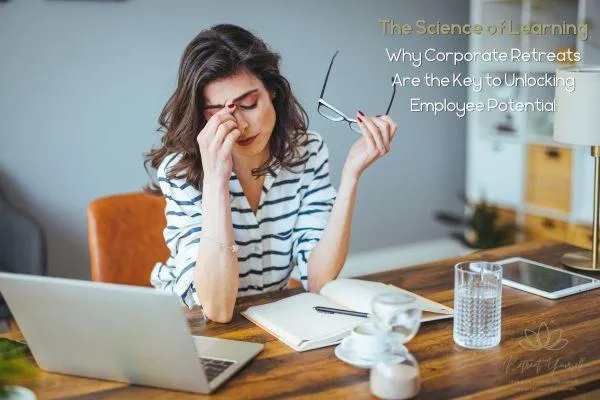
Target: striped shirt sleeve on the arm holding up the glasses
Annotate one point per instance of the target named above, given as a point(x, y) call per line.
point(315, 208)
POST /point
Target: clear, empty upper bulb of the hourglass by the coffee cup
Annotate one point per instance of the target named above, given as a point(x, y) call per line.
point(397, 315)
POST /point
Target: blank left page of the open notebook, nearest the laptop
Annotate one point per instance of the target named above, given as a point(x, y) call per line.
point(295, 322)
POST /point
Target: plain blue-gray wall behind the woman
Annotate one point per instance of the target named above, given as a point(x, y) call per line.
point(82, 84)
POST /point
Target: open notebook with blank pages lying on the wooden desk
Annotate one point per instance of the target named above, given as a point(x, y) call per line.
point(294, 321)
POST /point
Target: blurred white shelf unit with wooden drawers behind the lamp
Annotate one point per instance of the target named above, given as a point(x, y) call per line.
point(546, 187)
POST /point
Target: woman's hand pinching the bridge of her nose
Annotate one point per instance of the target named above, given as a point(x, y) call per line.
point(216, 141)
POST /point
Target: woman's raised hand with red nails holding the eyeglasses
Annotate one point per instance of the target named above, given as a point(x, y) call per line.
point(377, 134)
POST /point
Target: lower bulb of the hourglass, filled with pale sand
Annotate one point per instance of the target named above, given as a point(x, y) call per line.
point(395, 377)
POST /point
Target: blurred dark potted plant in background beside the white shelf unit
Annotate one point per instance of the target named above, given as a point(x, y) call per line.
point(480, 227)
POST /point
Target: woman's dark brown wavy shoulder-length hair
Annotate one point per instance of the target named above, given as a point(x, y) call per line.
point(215, 53)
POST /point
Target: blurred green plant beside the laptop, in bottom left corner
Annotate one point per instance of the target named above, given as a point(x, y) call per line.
point(15, 368)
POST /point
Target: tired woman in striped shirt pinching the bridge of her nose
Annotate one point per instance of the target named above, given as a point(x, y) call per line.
point(247, 187)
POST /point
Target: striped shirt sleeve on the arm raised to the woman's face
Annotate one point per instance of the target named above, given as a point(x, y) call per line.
point(182, 236)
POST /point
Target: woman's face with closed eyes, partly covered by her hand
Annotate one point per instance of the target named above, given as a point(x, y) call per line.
point(254, 112)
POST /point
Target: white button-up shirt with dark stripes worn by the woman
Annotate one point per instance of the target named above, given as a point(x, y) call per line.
point(293, 211)
